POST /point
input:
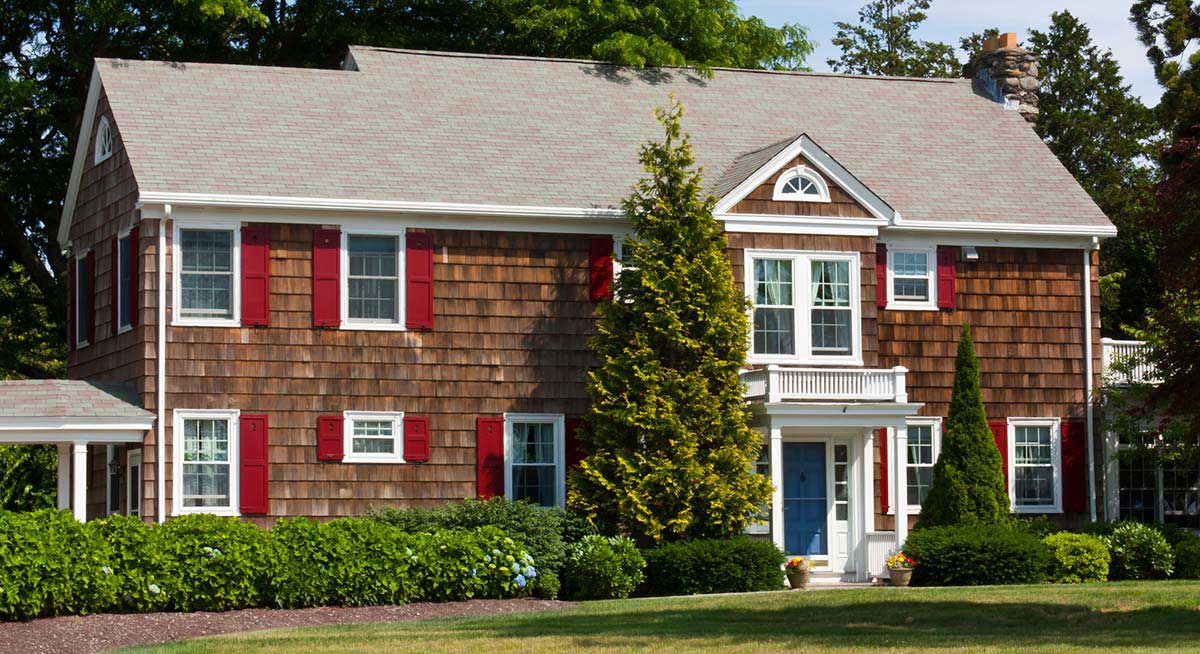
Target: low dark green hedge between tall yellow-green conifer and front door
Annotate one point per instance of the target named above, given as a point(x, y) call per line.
point(718, 566)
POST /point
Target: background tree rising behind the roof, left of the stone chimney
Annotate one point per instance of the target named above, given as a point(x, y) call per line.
point(884, 44)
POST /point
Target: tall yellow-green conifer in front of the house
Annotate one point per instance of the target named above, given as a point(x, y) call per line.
point(669, 442)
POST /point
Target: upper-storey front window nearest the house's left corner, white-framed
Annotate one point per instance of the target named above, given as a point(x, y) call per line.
point(207, 273)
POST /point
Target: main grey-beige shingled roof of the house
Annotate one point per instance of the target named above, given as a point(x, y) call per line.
point(440, 128)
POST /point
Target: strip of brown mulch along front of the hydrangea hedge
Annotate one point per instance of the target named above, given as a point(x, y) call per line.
point(94, 634)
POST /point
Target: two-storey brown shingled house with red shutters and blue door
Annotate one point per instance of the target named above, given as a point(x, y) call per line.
point(325, 291)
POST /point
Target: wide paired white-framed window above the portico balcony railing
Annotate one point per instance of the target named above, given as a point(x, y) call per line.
point(806, 308)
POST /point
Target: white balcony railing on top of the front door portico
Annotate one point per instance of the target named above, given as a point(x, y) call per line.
point(782, 385)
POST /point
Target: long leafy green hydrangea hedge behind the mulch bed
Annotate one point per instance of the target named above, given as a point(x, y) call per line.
point(53, 566)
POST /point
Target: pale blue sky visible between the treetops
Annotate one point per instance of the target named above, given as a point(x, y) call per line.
point(951, 20)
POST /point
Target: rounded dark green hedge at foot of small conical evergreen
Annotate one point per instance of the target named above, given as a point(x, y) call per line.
point(977, 556)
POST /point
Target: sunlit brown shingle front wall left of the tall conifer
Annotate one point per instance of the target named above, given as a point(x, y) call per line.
point(512, 323)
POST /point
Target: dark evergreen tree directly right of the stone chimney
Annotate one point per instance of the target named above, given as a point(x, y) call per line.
point(1105, 136)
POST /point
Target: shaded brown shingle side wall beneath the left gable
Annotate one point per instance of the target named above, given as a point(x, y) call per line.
point(104, 209)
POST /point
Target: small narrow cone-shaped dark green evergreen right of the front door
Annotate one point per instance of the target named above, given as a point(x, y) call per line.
point(969, 483)
